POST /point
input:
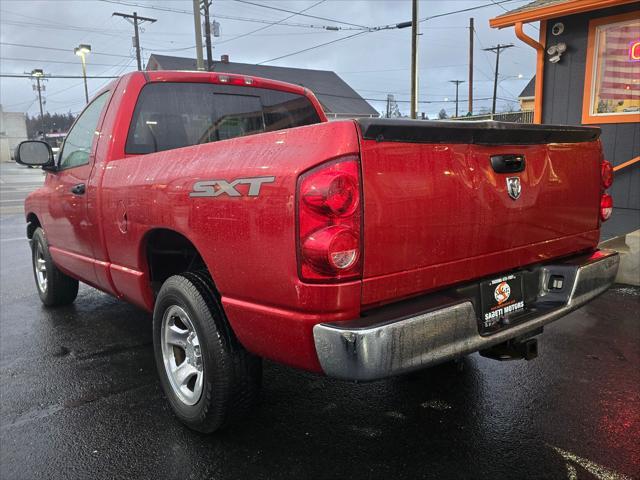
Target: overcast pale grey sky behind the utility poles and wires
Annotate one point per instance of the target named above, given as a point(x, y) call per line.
point(374, 64)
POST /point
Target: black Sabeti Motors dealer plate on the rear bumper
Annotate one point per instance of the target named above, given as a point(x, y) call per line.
point(502, 298)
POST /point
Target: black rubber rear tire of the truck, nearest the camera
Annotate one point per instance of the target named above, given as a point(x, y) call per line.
point(231, 376)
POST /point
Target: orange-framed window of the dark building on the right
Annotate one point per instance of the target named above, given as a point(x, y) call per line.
point(612, 76)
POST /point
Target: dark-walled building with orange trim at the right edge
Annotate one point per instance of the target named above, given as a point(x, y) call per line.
point(588, 72)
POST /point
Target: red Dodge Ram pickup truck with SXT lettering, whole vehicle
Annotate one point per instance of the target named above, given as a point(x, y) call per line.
point(254, 228)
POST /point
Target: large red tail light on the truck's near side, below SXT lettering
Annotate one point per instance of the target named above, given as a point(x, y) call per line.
point(329, 216)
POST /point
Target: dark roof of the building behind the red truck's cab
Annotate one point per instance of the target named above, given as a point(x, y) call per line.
point(337, 98)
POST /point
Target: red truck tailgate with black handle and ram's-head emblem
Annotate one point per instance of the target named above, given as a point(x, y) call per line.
point(438, 212)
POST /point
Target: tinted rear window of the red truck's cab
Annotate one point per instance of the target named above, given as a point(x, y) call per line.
point(175, 115)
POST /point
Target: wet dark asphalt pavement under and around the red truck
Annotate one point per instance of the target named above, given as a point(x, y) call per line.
point(80, 399)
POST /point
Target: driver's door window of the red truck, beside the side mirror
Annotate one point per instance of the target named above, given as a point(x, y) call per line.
point(77, 145)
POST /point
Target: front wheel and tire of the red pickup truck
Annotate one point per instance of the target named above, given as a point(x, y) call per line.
point(58, 288)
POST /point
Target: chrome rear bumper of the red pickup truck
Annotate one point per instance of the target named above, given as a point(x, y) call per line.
point(436, 328)
